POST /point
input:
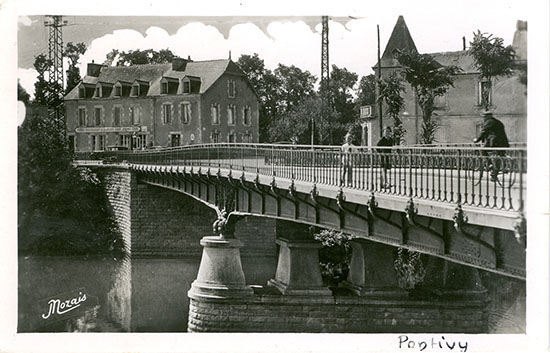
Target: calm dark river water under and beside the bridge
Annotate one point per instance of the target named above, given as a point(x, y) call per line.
point(150, 295)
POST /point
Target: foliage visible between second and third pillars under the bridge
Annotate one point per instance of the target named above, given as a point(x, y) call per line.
point(334, 256)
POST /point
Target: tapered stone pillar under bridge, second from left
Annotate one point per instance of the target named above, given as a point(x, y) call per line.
point(298, 271)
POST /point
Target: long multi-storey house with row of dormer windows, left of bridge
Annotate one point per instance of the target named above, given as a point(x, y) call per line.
point(179, 103)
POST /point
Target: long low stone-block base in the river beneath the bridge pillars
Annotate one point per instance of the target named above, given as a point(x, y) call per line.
point(344, 314)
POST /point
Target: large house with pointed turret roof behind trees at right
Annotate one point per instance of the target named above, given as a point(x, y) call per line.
point(458, 111)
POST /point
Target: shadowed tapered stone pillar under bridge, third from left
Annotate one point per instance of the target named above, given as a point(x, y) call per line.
point(372, 271)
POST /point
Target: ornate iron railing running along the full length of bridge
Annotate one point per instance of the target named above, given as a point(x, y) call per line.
point(488, 178)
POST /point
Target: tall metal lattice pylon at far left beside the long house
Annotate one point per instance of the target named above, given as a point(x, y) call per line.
point(55, 73)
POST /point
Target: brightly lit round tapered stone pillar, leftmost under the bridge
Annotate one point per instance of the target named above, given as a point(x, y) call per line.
point(220, 273)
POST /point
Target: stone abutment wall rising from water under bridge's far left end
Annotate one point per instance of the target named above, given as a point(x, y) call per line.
point(155, 221)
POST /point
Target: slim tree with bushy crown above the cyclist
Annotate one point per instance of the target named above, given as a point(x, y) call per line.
point(492, 59)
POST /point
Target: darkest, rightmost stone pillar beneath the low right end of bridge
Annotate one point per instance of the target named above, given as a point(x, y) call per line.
point(452, 280)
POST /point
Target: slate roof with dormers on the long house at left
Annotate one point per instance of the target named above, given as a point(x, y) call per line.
point(208, 71)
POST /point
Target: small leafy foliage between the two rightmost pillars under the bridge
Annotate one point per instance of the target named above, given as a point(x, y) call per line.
point(409, 267)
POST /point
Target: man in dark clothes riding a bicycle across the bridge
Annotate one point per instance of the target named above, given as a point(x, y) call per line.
point(492, 134)
